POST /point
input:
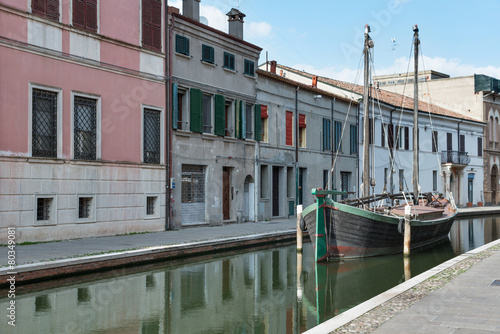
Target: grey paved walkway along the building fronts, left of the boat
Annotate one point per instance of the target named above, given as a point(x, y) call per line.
point(80, 247)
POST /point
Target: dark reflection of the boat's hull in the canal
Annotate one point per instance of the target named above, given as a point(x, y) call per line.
point(338, 286)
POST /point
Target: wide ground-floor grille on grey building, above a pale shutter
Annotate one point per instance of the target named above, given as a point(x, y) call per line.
point(193, 184)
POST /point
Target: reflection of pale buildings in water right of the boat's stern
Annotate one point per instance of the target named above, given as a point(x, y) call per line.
point(467, 234)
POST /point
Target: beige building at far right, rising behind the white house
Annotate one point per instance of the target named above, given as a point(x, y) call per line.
point(476, 96)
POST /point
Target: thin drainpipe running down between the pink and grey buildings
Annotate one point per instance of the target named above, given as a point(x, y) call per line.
point(168, 75)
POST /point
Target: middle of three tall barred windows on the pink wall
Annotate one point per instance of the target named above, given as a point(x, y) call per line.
point(85, 114)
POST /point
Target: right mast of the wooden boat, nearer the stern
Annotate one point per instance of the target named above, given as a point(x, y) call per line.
point(415, 118)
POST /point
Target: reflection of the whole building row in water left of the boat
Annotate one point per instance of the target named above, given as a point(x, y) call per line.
point(250, 293)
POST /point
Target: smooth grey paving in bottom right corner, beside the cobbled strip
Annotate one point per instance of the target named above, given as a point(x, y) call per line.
point(470, 303)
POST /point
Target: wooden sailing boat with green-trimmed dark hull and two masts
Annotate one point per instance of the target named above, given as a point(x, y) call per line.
point(352, 229)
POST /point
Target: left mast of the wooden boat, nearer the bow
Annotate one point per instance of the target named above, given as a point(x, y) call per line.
point(366, 132)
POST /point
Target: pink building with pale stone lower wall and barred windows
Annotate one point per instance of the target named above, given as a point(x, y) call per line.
point(82, 118)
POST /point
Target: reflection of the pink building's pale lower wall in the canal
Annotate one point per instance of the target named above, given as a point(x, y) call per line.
point(132, 304)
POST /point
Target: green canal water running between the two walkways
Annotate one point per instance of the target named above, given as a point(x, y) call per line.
point(255, 292)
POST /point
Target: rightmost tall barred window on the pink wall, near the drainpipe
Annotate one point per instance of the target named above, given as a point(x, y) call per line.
point(151, 136)
